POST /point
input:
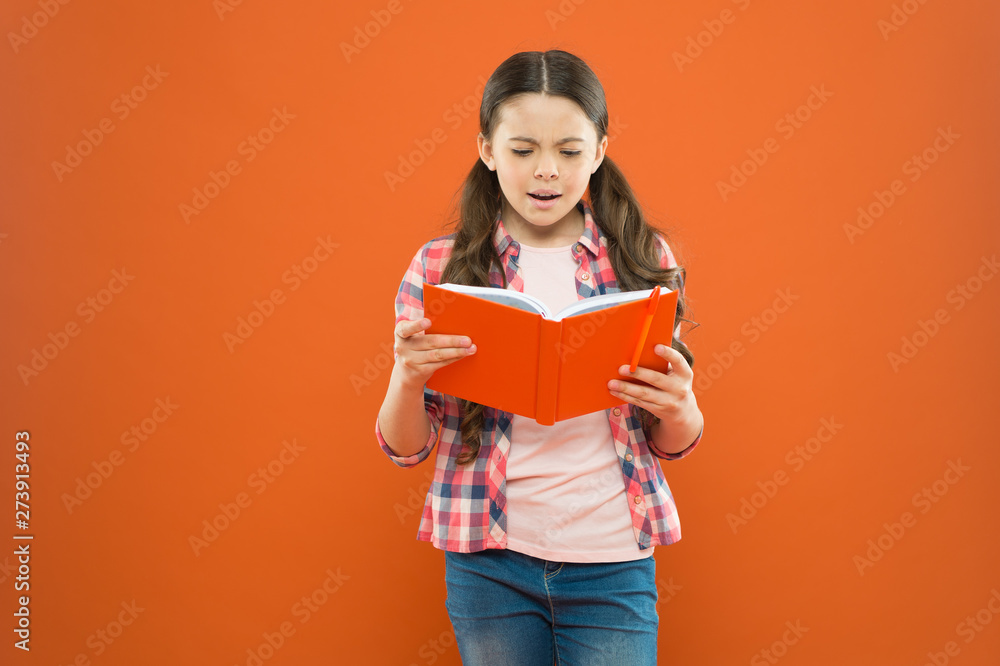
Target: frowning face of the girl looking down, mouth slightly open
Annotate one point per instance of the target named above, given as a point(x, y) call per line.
point(544, 144)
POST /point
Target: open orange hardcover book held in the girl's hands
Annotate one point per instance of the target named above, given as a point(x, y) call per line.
point(543, 365)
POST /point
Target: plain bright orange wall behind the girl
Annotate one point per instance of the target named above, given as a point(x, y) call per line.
point(113, 516)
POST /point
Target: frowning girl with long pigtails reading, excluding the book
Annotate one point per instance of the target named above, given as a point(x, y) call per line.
point(548, 531)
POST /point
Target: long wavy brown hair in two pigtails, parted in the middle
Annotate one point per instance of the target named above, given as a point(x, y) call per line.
point(632, 246)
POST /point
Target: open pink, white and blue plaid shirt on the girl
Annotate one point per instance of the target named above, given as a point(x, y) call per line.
point(465, 506)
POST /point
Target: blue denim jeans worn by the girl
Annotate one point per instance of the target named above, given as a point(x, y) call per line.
point(510, 608)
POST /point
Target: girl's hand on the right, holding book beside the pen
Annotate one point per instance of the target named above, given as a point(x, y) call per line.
point(669, 396)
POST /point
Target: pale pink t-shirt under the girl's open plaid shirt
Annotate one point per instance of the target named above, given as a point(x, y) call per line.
point(566, 499)
